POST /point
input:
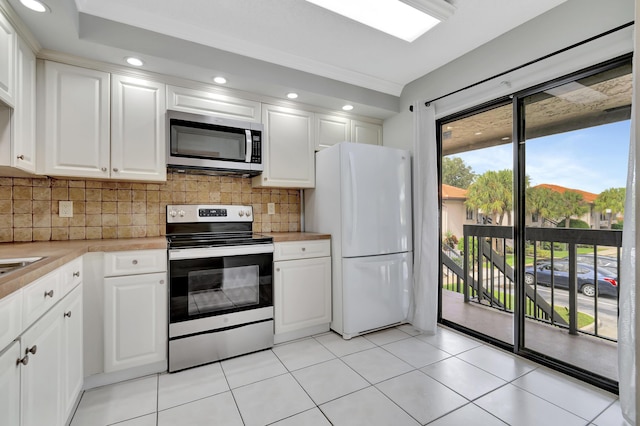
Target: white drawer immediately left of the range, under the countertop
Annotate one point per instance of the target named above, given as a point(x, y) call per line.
point(134, 262)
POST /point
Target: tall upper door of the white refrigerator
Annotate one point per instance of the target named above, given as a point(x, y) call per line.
point(376, 200)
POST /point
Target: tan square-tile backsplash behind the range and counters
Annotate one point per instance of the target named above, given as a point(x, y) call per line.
point(108, 209)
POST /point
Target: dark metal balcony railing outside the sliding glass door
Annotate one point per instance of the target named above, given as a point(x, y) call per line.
point(573, 258)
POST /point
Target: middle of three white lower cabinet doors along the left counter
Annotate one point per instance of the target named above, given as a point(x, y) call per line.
point(41, 377)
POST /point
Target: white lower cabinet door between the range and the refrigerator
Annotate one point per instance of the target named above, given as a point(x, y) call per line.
point(302, 291)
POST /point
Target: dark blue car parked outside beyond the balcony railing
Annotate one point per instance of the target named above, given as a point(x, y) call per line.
point(607, 281)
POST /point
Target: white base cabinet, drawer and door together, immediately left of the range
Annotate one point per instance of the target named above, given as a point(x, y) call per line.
point(135, 309)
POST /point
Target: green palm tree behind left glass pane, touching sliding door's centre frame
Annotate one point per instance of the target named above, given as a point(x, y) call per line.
point(492, 193)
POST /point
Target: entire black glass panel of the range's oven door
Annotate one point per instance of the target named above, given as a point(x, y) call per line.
point(205, 287)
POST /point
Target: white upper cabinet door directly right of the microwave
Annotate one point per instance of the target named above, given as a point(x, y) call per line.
point(288, 148)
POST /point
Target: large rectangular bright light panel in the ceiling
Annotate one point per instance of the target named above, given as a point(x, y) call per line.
point(404, 19)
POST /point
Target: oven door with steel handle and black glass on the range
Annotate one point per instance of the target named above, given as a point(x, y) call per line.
point(217, 282)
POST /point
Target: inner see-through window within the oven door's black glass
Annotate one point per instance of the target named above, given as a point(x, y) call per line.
point(212, 290)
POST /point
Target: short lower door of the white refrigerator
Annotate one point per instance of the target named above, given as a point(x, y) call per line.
point(376, 291)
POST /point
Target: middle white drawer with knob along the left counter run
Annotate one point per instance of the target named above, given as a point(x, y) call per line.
point(39, 296)
